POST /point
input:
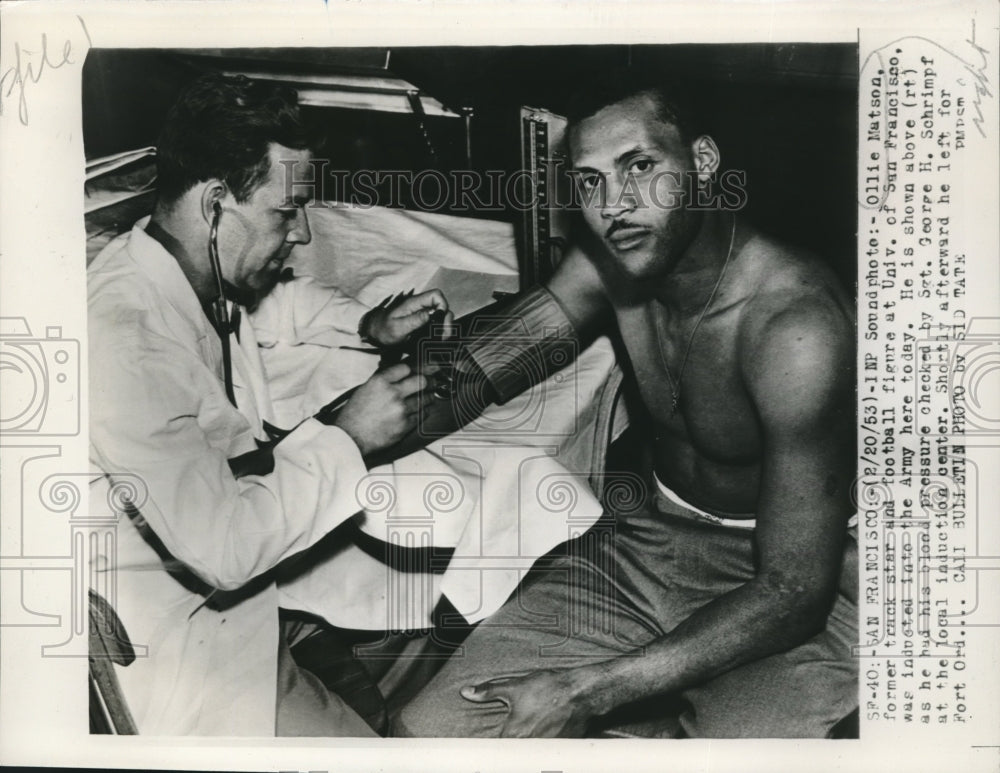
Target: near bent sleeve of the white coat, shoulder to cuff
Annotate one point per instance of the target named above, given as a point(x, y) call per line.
point(157, 412)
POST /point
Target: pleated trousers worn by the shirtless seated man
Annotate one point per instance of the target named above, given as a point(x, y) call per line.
point(624, 587)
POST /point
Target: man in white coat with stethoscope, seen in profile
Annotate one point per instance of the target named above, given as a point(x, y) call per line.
point(177, 392)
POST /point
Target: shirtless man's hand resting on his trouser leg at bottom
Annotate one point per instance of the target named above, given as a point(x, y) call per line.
point(540, 704)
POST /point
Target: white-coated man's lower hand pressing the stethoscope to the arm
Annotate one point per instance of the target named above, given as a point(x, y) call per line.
point(384, 409)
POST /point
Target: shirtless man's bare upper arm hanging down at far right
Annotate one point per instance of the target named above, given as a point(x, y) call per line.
point(799, 369)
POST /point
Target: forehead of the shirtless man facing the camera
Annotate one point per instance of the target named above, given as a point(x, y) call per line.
point(634, 123)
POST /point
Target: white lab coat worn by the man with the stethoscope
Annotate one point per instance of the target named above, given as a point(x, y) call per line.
point(202, 601)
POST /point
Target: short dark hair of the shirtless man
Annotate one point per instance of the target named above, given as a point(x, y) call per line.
point(676, 101)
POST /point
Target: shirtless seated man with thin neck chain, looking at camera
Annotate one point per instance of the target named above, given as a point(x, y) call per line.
point(727, 590)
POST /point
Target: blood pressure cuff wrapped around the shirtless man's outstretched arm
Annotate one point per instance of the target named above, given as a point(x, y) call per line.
point(522, 344)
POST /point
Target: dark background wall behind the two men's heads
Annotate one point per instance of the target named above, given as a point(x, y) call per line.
point(786, 114)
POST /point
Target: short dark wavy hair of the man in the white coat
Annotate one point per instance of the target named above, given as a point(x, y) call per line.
point(221, 127)
